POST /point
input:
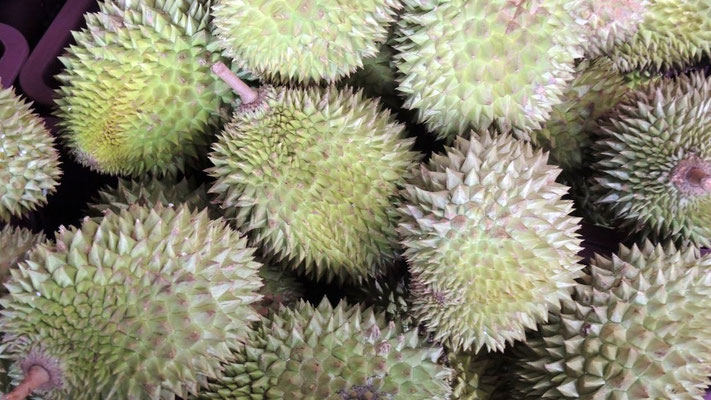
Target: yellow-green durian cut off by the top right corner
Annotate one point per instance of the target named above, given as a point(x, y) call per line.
point(673, 34)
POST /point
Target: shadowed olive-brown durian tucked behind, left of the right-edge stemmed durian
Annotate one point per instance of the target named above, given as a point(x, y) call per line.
point(570, 131)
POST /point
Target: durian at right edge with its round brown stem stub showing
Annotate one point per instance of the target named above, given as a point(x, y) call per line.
point(654, 169)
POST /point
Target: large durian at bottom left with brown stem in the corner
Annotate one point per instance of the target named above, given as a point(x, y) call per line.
point(144, 304)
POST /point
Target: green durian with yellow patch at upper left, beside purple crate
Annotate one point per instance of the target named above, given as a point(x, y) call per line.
point(137, 93)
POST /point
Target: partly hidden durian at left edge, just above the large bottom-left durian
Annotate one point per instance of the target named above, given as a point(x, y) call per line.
point(15, 245)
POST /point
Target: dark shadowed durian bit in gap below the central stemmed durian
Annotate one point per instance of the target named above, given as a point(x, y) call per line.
point(279, 287)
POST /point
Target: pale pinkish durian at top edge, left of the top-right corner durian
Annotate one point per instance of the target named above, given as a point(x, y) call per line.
point(608, 23)
